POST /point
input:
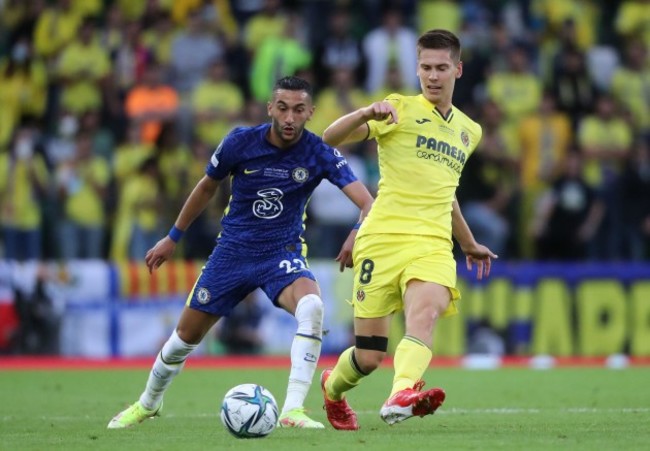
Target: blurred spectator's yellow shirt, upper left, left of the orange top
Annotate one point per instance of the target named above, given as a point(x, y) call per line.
point(86, 65)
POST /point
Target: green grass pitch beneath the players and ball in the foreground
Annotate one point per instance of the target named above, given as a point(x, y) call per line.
point(517, 409)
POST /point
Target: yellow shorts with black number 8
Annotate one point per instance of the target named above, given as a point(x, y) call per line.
point(385, 263)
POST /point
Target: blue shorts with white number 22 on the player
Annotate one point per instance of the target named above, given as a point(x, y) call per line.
point(227, 278)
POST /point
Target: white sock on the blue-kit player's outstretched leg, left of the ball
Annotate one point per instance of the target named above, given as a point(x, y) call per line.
point(169, 363)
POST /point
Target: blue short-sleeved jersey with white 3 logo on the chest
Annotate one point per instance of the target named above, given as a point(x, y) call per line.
point(271, 187)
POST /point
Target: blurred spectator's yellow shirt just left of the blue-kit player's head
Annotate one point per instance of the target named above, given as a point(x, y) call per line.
point(224, 98)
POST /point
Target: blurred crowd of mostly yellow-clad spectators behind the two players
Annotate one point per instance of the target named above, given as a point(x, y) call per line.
point(110, 109)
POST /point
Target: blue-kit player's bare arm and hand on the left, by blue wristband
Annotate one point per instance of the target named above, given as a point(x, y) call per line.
point(194, 205)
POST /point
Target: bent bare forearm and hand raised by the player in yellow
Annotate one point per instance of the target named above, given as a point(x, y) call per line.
point(353, 126)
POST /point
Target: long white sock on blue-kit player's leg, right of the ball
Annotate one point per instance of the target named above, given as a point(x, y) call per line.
point(305, 350)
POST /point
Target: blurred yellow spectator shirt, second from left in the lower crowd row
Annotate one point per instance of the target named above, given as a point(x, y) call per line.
point(85, 206)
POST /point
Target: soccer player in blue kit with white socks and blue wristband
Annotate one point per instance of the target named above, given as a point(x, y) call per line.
point(273, 168)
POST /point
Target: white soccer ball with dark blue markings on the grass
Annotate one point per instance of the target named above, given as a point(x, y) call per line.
point(249, 411)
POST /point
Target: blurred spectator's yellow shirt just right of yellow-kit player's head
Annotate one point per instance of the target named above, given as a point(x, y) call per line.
point(516, 94)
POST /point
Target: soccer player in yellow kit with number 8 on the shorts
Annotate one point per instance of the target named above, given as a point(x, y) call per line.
point(403, 251)
